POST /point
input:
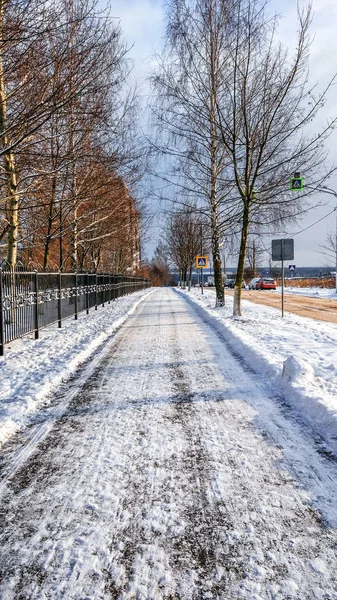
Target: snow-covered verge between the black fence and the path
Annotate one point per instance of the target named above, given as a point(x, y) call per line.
point(31, 370)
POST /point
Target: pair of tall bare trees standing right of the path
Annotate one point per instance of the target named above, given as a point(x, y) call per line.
point(235, 118)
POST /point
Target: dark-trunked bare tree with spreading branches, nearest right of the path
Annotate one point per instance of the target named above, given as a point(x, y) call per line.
point(264, 110)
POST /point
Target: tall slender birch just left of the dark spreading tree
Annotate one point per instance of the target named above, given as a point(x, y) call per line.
point(187, 82)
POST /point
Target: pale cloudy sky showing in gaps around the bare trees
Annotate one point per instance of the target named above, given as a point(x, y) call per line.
point(142, 23)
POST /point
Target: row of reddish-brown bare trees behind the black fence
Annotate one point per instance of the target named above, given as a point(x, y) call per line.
point(69, 147)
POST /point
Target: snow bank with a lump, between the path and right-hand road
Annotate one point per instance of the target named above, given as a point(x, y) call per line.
point(296, 355)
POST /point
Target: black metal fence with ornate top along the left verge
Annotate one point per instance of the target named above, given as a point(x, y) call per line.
point(30, 301)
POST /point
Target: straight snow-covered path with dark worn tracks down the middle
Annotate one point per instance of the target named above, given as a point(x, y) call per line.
point(173, 474)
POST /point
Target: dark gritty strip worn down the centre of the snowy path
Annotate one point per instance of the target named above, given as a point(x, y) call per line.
point(200, 544)
